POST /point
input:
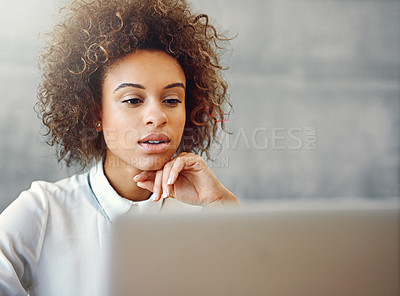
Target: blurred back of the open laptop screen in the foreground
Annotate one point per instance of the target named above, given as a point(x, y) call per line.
point(319, 251)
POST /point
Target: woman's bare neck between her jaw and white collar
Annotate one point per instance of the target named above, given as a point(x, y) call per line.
point(120, 175)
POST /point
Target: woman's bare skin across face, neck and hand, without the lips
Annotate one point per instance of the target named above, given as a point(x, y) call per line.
point(152, 103)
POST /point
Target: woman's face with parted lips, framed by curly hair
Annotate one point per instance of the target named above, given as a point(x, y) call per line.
point(143, 109)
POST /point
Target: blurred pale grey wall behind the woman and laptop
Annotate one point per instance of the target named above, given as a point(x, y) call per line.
point(315, 87)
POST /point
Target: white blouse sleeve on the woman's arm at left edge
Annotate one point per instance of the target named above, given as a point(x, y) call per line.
point(22, 231)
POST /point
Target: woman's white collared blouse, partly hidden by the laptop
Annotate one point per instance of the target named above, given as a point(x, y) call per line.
point(54, 237)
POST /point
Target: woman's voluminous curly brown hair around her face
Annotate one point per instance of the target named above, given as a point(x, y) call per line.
point(96, 33)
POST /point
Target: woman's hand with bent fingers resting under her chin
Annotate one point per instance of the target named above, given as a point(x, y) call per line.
point(188, 179)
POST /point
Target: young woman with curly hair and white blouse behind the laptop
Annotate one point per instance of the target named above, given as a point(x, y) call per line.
point(123, 93)
